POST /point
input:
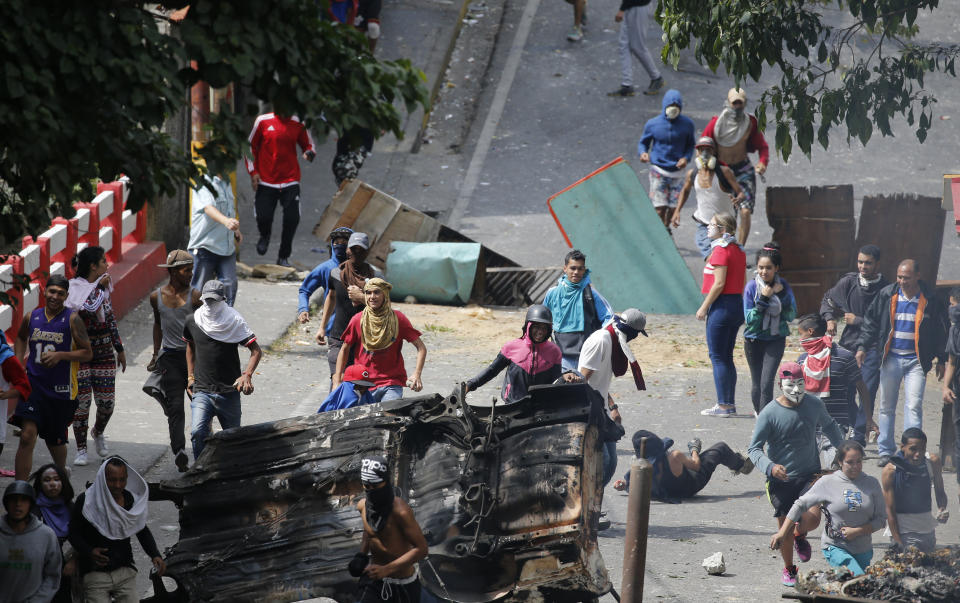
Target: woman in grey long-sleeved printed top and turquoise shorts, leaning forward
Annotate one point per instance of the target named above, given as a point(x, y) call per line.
point(852, 503)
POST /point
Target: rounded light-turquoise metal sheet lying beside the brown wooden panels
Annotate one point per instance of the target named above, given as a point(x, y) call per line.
point(441, 273)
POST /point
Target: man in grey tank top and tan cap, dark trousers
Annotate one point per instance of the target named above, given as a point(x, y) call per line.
point(172, 304)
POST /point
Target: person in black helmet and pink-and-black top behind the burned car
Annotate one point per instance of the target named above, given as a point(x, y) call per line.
point(529, 360)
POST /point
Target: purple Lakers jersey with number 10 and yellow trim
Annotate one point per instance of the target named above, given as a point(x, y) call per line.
point(59, 381)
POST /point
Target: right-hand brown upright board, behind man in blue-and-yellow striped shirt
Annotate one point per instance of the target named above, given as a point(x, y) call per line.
point(904, 226)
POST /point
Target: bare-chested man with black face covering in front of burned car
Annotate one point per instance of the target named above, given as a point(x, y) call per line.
point(392, 540)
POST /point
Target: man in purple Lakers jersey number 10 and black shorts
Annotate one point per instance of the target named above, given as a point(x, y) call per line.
point(54, 342)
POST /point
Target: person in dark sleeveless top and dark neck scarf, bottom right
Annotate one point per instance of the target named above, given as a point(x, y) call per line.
point(906, 480)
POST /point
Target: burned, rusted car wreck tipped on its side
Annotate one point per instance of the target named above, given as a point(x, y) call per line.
point(508, 497)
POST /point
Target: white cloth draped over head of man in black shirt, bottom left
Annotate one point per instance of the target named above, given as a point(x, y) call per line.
point(109, 518)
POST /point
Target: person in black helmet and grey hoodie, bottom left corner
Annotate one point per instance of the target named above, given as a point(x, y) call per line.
point(29, 551)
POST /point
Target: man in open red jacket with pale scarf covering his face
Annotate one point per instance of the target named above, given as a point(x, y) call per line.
point(737, 135)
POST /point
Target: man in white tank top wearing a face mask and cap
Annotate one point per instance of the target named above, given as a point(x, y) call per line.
point(715, 195)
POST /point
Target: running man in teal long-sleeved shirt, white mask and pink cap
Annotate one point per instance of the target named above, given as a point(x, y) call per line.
point(791, 461)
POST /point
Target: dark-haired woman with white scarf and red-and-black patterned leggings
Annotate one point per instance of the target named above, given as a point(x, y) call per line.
point(89, 296)
